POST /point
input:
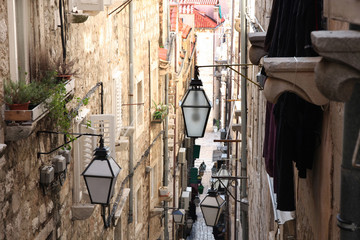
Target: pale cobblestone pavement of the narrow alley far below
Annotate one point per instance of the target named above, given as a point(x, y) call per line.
point(199, 230)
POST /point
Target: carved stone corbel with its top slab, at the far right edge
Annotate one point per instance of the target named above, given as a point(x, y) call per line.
point(339, 70)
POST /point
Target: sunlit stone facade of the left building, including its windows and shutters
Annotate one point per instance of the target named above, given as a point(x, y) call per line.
point(117, 43)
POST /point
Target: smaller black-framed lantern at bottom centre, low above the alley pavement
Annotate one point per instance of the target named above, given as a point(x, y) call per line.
point(211, 207)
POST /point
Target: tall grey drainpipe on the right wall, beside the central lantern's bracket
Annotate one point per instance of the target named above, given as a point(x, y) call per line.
point(243, 191)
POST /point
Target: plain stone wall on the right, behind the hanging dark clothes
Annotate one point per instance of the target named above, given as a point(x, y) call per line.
point(317, 196)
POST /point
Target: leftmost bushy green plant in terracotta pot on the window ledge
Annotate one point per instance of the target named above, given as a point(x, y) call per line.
point(17, 95)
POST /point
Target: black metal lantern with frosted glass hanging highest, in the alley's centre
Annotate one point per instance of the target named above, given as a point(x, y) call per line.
point(195, 108)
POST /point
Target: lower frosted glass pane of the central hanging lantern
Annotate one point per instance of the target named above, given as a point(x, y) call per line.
point(195, 120)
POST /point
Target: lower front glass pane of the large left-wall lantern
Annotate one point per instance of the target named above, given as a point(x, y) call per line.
point(98, 189)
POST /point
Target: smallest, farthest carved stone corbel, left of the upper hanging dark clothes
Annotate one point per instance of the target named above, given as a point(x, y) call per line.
point(256, 51)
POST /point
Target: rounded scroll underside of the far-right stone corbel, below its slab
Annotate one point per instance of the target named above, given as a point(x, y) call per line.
point(336, 81)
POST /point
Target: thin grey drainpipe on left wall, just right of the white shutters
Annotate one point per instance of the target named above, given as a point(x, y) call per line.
point(131, 114)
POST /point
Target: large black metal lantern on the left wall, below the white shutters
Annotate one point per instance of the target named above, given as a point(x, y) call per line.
point(100, 176)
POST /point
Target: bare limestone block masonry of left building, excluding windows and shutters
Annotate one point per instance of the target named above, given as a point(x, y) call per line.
point(101, 47)
